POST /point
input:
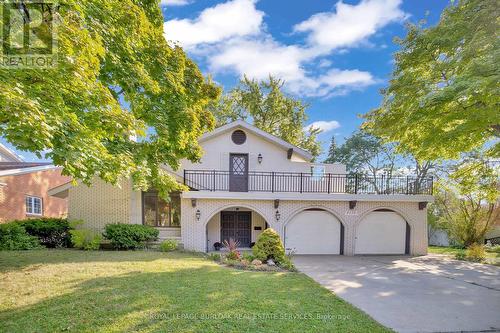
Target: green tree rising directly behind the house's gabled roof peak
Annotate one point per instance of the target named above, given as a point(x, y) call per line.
point(266, 105)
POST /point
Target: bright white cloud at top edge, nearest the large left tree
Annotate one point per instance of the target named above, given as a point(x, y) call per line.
point(235, 18)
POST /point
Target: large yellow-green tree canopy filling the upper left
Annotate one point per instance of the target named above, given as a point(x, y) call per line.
point(120, 101)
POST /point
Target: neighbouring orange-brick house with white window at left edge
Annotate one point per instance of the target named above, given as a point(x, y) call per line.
point(24, 187)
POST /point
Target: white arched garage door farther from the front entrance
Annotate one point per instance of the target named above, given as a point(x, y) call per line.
point(381, 233)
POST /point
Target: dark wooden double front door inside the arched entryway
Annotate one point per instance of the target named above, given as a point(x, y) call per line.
point(238, 226)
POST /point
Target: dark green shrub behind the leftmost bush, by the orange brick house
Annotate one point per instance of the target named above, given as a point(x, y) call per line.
point(51, 232)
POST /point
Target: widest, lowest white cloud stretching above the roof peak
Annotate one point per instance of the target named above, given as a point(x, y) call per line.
point(256, 58)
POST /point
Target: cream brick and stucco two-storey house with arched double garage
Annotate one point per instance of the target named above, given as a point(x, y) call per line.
point(249, 180)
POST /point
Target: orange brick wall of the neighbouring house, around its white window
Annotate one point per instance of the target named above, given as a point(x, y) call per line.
point(15, 188)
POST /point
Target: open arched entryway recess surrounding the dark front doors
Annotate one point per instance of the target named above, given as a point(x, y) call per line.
point(240, 223)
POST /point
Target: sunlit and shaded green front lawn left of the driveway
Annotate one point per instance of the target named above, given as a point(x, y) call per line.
point(145, 291)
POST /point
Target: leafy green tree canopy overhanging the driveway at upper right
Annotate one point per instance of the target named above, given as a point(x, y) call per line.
point(443, 98)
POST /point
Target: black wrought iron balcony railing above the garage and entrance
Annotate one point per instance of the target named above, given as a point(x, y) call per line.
point(297, 182)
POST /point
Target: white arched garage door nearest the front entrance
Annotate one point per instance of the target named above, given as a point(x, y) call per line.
point(313, 232)
